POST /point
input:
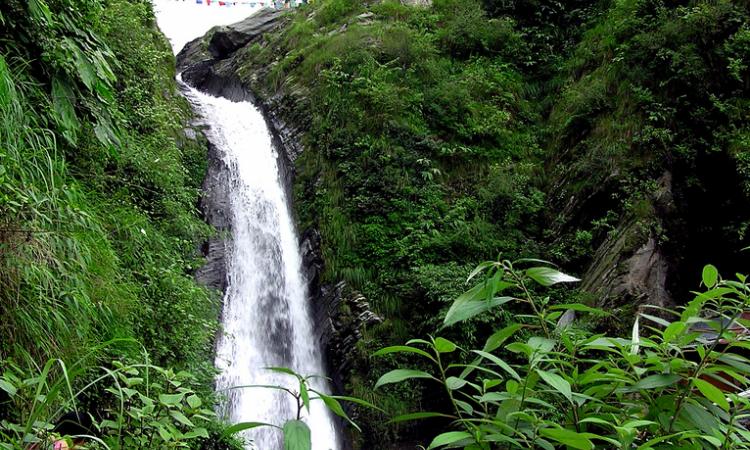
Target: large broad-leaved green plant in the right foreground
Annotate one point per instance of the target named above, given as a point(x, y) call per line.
point(672, 384)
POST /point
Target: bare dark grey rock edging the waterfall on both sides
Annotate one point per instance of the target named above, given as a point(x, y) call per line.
point(208, 64)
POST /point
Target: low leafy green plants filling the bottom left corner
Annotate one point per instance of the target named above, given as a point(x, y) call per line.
point(142, 405)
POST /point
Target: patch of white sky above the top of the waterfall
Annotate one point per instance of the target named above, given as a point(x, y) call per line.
point(184, 20)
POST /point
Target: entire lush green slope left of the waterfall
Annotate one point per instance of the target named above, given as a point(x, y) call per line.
point(99, 229)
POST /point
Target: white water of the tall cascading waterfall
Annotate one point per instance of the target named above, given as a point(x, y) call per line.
point(265, 319)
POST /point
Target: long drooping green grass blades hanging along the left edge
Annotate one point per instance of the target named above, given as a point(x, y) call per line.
point(52, 256)
